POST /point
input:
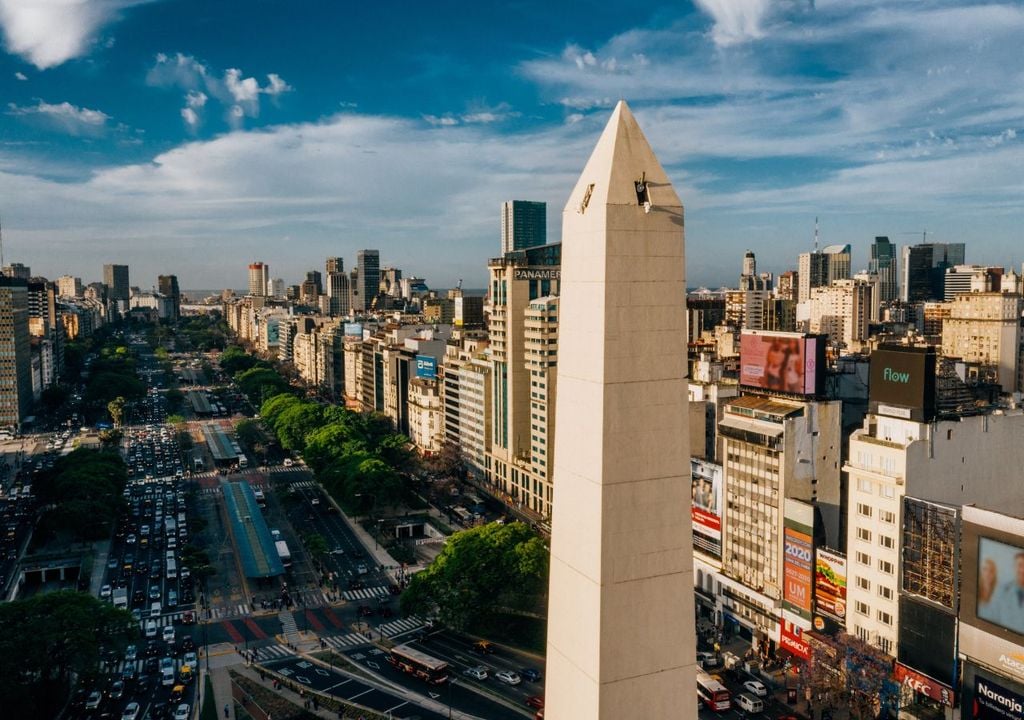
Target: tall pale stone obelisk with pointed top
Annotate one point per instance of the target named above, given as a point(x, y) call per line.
point(621, 627)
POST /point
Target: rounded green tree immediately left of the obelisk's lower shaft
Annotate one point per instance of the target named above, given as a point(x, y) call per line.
point(481, 574)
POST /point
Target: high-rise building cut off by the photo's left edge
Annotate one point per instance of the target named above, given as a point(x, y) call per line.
point(16, 353)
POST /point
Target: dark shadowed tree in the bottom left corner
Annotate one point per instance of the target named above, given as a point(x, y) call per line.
point(49, 640)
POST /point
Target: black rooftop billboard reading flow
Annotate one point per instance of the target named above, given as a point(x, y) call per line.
point(903, 383)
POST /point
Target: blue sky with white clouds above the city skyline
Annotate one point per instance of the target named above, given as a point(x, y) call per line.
point(193, 138)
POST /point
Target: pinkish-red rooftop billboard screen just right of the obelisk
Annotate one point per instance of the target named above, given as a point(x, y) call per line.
point(790, 363)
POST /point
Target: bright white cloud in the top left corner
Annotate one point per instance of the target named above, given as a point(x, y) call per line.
point(49, 33)
